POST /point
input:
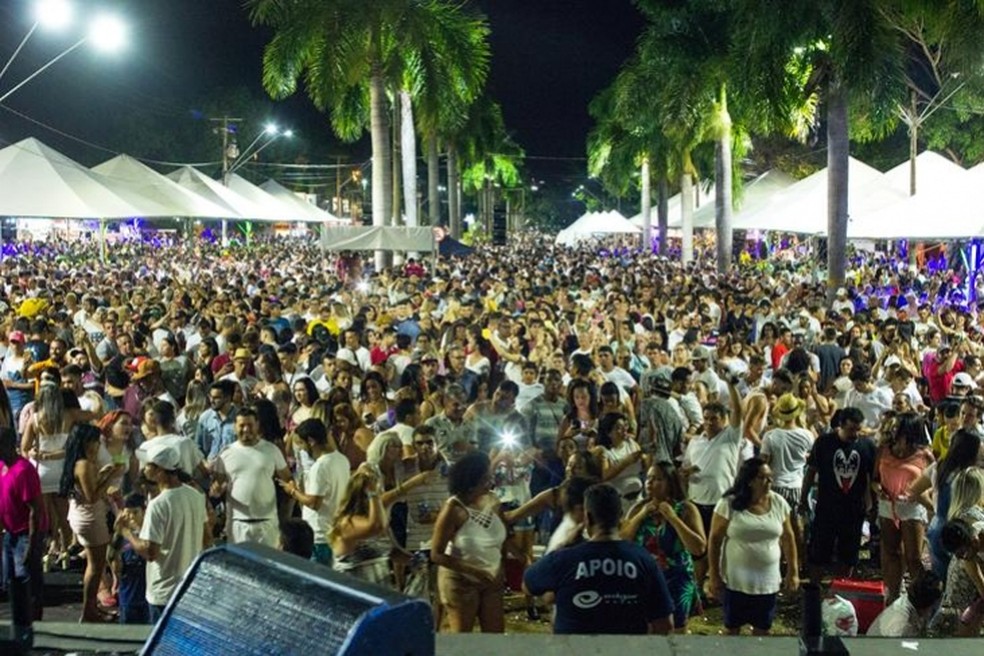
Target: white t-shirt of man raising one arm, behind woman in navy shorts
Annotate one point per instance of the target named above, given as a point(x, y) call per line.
point(717, 460)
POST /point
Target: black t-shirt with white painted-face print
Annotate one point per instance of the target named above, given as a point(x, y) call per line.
point(844, 472)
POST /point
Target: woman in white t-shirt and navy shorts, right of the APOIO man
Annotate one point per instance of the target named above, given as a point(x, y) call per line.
point(750, 532)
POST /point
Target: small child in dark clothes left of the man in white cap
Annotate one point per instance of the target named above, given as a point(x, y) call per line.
point(128, 567)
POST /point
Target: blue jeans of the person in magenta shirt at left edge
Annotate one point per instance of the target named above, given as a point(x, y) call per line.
point(25, 581)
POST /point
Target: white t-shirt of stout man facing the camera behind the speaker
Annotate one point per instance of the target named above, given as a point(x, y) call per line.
point(252, 492)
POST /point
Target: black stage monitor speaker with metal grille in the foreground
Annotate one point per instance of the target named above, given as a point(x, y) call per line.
point(253, 600)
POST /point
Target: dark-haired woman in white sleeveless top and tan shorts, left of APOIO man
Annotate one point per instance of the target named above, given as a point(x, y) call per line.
point(467, 547)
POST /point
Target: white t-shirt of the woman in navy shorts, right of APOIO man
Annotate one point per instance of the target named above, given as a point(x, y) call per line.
point(751, 554)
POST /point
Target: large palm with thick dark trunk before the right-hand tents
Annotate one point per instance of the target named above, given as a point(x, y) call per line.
point(856, 63)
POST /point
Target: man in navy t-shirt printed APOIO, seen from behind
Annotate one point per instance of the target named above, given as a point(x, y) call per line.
point(604, 585)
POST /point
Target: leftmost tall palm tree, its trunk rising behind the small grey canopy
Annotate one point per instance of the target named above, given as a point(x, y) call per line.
point(351, 54)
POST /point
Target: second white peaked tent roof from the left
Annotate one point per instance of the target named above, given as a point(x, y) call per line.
point(154, 186)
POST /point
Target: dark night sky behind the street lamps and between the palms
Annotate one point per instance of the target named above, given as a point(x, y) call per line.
point(549, 59)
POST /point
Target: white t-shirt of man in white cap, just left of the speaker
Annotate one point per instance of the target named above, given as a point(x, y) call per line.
point(175, 520)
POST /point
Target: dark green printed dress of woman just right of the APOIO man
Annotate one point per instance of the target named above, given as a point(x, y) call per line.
point(660, 539)
